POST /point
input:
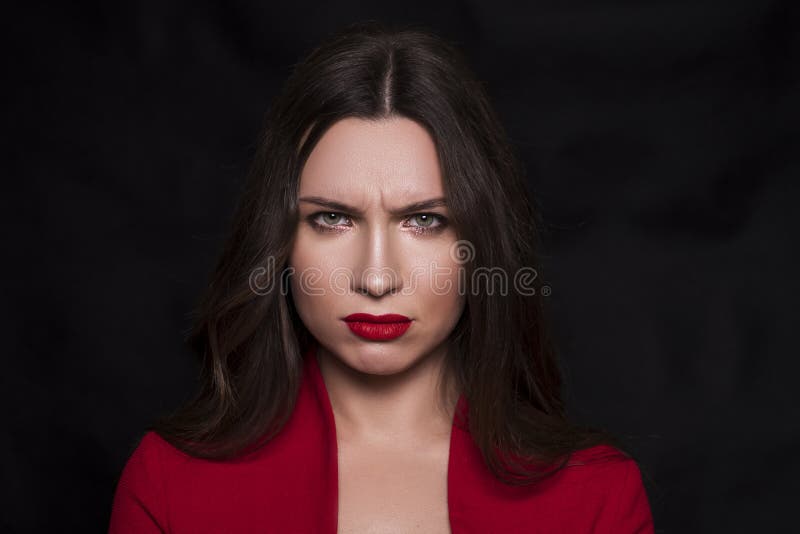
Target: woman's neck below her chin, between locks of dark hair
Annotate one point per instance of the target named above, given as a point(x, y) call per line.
point(400, 409)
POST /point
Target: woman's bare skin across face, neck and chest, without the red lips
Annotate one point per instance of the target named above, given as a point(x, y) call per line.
point(392, 432)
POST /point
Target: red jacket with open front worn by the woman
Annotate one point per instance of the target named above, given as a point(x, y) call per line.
point(291, 485)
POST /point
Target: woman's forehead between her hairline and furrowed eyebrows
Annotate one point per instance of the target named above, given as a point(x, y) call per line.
point(356, 157)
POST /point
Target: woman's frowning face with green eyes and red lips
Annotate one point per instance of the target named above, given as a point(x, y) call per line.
point(359, 250)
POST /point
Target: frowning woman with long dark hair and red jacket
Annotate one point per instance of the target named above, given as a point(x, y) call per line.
point(374, 355)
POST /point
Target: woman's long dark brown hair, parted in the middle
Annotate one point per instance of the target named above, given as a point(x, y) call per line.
point(501, 355)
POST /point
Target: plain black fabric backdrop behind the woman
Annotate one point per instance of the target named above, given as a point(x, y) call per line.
point(661, 140)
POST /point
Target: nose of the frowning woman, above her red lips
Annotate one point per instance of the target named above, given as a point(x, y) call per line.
point(378, 273)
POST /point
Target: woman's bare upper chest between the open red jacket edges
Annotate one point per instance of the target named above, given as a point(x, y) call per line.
point(388, 491)
